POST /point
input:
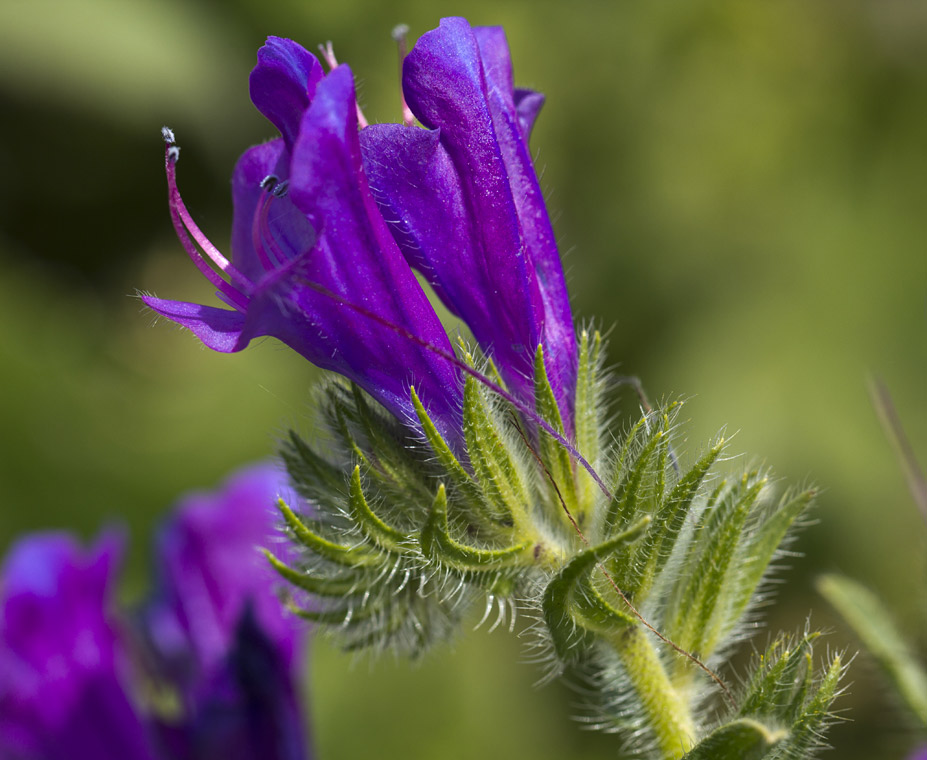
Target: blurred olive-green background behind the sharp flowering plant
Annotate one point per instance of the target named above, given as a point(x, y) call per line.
point(738, 188)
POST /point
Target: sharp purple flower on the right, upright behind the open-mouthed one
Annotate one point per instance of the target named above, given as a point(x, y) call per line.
point(468, 210)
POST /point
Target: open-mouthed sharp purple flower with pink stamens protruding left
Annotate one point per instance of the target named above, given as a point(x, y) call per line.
point(313, 262)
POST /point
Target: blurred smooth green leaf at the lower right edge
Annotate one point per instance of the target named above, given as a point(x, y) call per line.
point(872, 624)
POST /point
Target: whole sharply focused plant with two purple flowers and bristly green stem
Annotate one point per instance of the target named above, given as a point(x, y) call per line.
point(487, 483)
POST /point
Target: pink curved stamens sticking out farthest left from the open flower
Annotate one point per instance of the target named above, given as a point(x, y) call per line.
point(186, 229)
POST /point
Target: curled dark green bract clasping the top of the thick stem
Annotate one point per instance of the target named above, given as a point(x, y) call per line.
point(572, 606)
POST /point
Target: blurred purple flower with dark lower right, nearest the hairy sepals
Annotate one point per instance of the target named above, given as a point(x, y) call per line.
point(218, 632)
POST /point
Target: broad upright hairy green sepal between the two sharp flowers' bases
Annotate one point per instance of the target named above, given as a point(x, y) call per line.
point(495, 471)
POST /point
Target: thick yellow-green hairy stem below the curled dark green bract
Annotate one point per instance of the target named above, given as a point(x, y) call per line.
point(667, 714)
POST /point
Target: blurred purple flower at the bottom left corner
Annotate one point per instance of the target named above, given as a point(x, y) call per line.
point(62, 692)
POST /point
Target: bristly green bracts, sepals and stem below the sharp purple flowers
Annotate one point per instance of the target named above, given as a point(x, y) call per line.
point(638, 593)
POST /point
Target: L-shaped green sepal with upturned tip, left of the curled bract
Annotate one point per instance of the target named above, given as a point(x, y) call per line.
point(438, 545)
